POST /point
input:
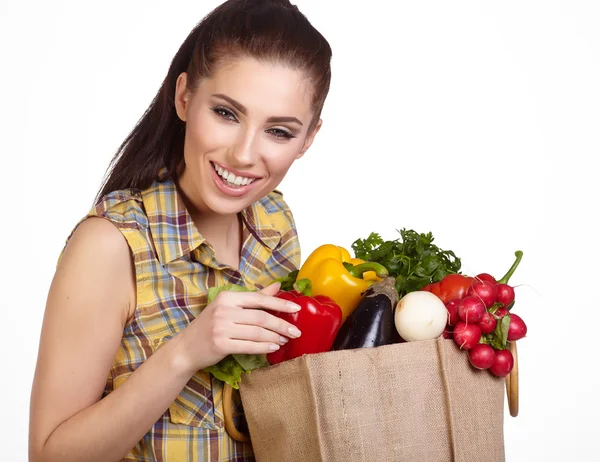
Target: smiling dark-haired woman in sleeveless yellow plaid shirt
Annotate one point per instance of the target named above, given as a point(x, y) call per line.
point(190, 203)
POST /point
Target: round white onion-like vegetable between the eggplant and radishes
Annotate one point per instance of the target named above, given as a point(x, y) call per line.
point(420, 315)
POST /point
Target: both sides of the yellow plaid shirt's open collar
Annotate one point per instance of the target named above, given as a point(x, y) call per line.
point(175, 234)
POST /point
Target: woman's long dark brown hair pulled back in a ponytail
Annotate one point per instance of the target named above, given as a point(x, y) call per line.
point(272, 30)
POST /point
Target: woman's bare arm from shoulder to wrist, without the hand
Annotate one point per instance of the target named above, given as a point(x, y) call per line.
point(91, 297)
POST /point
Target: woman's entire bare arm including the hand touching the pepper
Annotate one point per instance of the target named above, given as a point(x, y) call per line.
point(90, 300)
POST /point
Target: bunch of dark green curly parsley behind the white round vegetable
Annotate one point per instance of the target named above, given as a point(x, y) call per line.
point(413, 259)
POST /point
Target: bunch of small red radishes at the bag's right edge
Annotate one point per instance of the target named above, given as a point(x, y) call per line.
point(482, 322)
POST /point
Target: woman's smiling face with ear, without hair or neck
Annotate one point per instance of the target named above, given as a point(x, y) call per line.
point(245, 126)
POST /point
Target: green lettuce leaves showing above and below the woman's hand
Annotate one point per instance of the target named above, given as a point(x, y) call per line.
point(231, 368)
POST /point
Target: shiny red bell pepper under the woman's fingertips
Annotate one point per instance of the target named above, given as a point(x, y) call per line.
point(319, 320)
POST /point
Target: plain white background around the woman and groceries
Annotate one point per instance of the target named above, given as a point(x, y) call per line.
point(477, 121)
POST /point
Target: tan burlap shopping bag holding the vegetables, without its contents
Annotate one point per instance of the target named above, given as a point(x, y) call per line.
point(416, 401)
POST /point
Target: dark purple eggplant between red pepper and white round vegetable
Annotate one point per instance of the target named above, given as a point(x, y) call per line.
point(371, 324)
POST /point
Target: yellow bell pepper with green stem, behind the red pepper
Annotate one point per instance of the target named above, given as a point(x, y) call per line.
point(334, 273)
